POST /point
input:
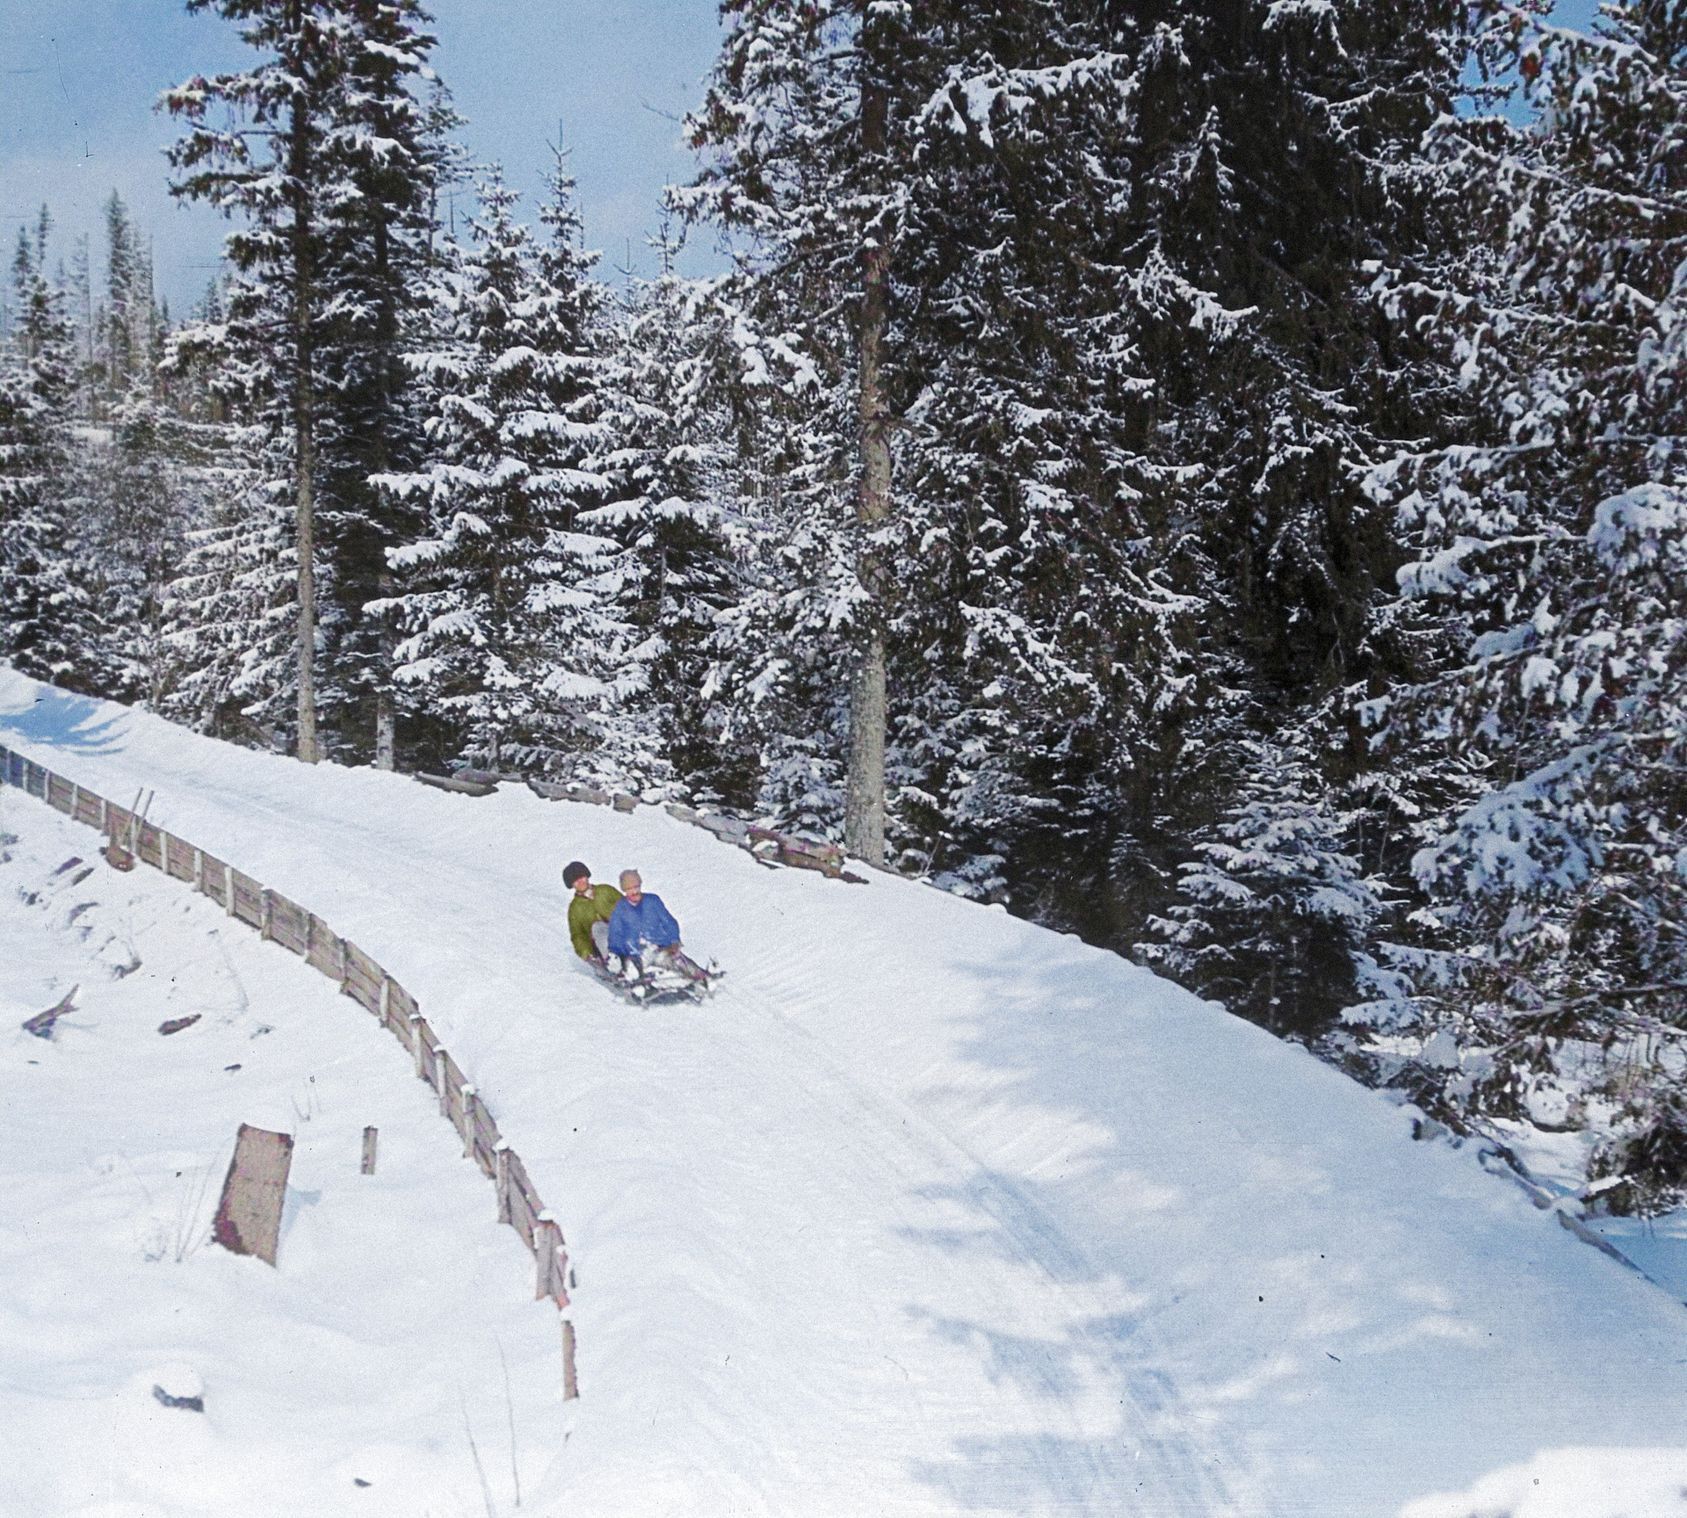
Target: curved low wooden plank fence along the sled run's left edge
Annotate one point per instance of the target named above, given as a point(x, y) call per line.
point(358, 977)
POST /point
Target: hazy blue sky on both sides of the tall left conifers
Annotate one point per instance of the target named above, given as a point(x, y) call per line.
point(78, 80)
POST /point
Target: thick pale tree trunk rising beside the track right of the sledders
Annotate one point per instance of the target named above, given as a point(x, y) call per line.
point(868, 716)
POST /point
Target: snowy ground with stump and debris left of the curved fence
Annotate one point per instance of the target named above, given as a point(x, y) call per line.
point(350, 1381)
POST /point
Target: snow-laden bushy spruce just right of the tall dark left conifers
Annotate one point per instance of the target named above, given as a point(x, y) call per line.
point(509, 606)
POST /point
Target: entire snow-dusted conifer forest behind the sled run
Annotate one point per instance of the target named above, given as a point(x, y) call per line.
point(1212, 478)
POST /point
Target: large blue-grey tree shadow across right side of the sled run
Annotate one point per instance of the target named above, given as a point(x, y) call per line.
point(1234, 1284)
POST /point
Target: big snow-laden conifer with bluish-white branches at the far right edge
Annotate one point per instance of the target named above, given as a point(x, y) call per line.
point(1551, 542)
